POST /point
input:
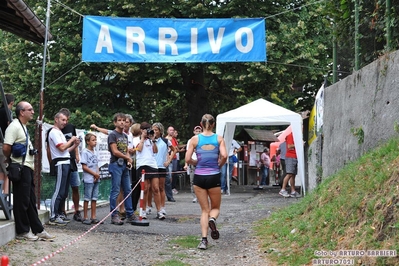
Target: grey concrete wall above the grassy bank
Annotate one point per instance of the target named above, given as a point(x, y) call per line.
point(360, 112)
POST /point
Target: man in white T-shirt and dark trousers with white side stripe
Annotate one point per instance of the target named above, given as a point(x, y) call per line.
point(60, 166)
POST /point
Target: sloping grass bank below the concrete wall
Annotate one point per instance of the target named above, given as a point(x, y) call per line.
point(356, 209)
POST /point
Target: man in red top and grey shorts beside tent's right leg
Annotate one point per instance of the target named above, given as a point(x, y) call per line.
point(291, 164)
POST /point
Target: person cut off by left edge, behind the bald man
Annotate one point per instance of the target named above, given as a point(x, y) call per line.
point(5, 120)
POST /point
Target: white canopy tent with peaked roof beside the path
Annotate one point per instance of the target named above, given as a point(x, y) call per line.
point(262, 112)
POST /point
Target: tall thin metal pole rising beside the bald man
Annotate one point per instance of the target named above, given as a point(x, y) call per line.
point(38, 131)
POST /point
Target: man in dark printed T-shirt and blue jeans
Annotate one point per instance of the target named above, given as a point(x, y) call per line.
point(118, 168)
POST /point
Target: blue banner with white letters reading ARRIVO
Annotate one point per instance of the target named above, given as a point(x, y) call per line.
point(154, 40)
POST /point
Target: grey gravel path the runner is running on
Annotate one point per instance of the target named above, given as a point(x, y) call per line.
point(137, 245)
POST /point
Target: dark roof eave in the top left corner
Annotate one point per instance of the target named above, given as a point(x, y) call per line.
point(16, 17)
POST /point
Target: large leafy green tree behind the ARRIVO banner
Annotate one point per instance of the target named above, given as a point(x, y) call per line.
point(175, 94)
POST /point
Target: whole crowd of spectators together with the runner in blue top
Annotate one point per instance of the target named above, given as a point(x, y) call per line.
point(135, 149)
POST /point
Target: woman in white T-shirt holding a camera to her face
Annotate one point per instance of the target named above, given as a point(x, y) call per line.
point(145, 160)
